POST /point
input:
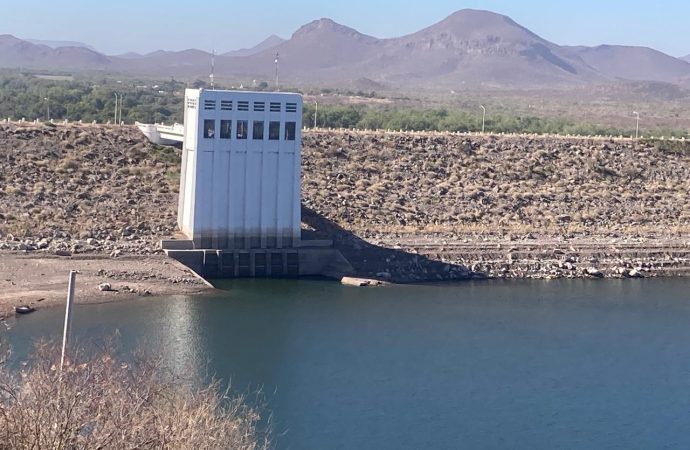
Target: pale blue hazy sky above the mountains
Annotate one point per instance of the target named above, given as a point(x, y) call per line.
point(146, 25)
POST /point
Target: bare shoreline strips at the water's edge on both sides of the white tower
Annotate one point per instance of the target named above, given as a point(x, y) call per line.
point(39, 278)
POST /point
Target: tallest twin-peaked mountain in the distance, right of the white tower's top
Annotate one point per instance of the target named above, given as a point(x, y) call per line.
point(469, 48)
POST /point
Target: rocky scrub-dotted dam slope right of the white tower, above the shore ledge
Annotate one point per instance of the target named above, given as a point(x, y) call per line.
point(374, 183)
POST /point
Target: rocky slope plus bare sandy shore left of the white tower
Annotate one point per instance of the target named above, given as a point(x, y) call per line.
point(92, 199)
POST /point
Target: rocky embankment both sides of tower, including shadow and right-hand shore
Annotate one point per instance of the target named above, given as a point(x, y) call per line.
point(475, 206)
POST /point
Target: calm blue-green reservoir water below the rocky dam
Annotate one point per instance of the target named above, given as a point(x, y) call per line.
point(485, 365)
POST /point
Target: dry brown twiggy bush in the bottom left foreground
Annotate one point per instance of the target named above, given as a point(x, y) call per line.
point(104, 403)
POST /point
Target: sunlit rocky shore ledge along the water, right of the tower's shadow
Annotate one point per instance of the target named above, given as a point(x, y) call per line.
point(550, 257)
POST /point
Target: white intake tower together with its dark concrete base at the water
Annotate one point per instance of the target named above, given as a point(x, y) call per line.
point(239, 203)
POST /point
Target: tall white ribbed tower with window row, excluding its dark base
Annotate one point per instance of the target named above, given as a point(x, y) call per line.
point(240, 178)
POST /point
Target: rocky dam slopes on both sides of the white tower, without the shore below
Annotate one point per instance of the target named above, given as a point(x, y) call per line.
point(76, 179)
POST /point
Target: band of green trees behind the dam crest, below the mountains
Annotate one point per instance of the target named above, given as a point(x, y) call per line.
point(89, 99)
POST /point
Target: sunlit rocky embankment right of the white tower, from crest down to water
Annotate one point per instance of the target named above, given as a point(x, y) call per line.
point(507, 206)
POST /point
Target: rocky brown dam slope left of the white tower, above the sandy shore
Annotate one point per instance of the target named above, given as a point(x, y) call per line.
point(70, 189)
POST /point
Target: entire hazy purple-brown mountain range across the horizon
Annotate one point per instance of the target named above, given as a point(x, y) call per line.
point(468, 49)
